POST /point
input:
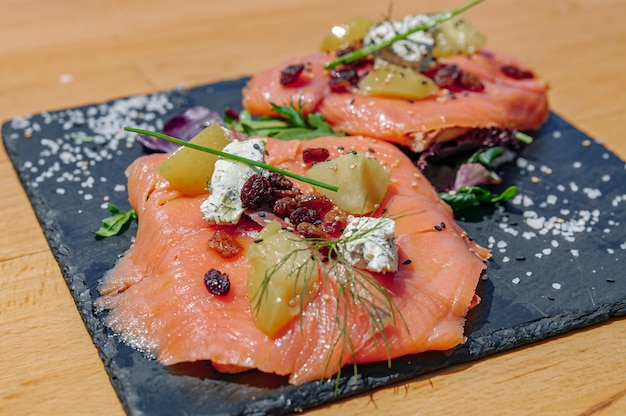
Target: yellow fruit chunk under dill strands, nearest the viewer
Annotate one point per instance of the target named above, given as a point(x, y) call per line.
point(282, 278)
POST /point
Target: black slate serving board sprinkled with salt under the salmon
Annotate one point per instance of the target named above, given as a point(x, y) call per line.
point(559, 250)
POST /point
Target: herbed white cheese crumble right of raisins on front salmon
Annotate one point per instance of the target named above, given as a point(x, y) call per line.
point(368, 243)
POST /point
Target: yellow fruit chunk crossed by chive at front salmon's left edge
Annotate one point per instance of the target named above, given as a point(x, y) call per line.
point(189, 170)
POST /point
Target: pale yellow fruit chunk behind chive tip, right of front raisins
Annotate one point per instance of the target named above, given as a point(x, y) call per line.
point(362, 182)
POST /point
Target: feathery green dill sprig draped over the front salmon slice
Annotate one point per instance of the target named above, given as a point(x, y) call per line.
point(355, 289)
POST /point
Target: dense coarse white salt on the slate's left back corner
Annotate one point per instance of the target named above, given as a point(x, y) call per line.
point(91, 136)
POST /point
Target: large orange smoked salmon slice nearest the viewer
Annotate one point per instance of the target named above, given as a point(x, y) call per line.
point(158, 303)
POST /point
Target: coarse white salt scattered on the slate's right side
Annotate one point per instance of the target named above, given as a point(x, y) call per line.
point(554, 217)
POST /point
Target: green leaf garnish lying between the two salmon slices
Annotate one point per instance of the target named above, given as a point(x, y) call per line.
point(290, 124)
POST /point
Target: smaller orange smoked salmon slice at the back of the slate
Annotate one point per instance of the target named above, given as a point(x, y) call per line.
point(507, 101)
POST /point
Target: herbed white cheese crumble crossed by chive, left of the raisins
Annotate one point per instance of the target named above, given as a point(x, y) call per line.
point(223, 206)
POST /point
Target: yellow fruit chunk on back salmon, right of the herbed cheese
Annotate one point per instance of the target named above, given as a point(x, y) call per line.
point(457, 37)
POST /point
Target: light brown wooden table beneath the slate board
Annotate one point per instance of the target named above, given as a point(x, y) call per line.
point(63, 53)
